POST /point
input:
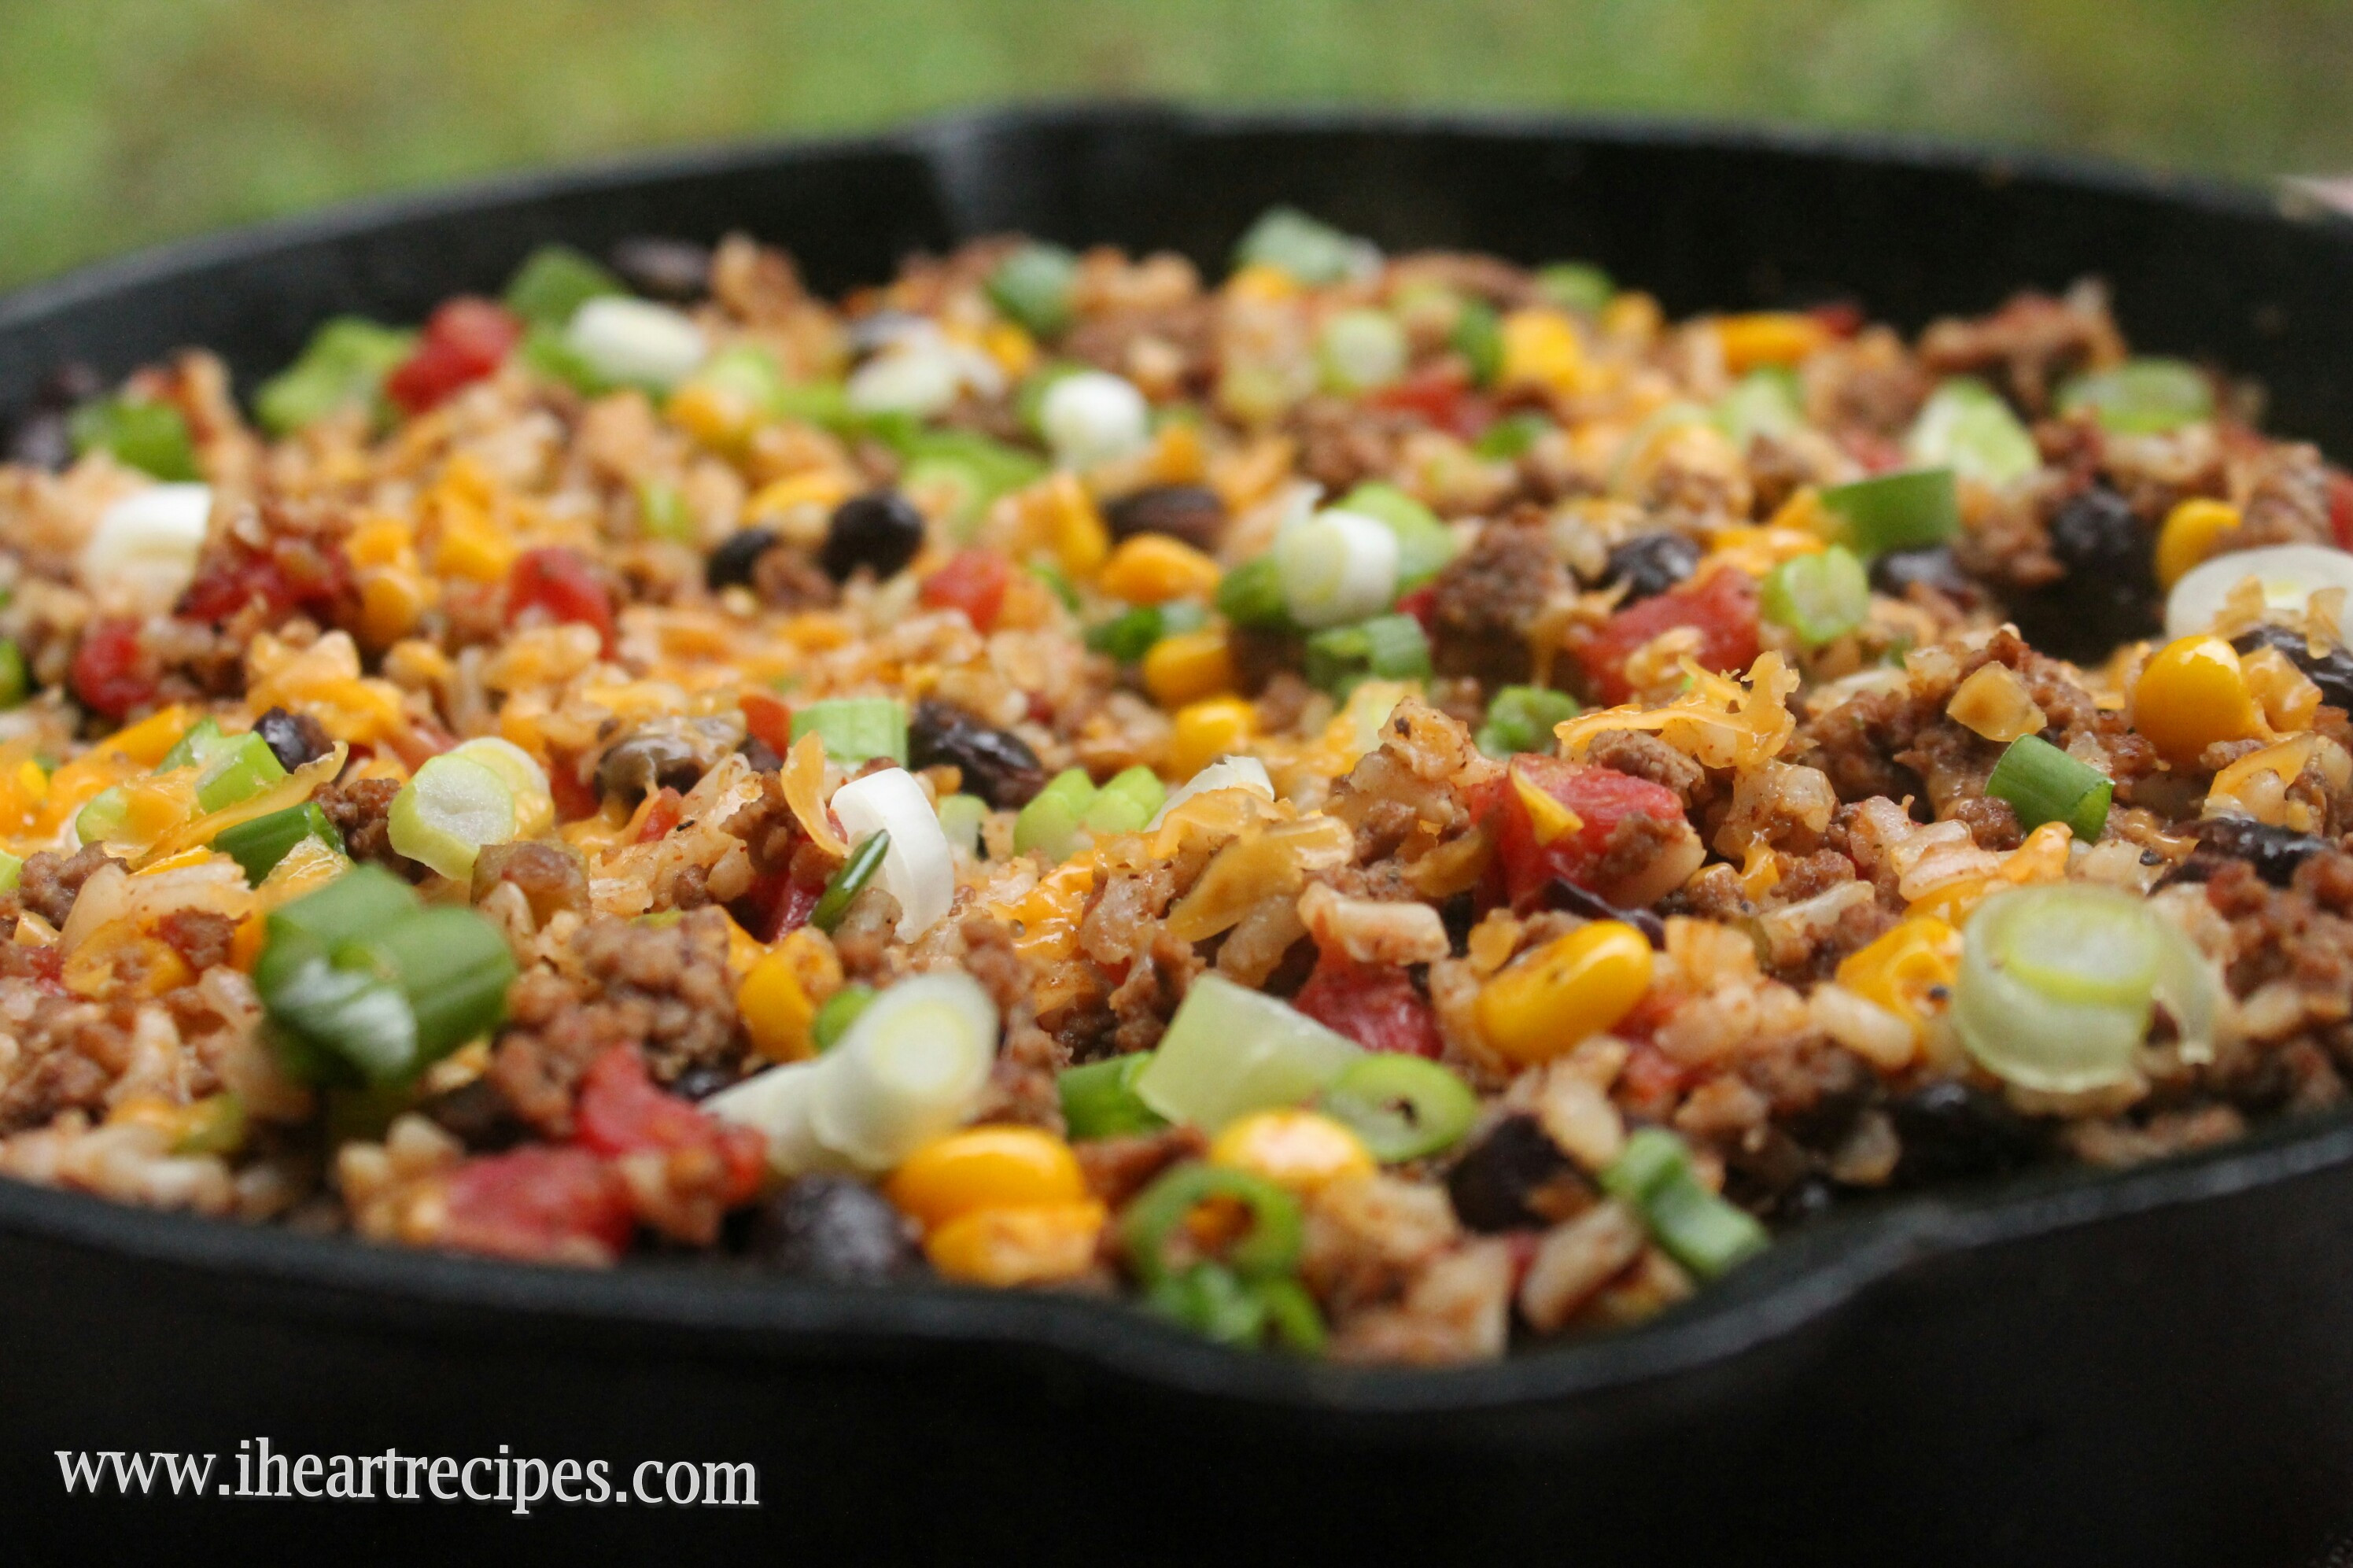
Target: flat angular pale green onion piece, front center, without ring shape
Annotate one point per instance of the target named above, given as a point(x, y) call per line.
point(1232, 1051)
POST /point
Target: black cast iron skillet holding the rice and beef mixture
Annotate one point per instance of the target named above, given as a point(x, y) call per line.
point(2133, 1369)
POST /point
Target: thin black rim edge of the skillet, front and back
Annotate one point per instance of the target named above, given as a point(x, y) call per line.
point(1806, 1280)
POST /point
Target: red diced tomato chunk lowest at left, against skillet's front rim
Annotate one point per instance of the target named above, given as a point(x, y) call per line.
point(540, 1204)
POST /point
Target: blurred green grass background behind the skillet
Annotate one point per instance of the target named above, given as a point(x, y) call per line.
point(133, 121)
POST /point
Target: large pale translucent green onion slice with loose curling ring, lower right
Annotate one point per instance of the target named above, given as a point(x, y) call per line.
point(2058, 988)
